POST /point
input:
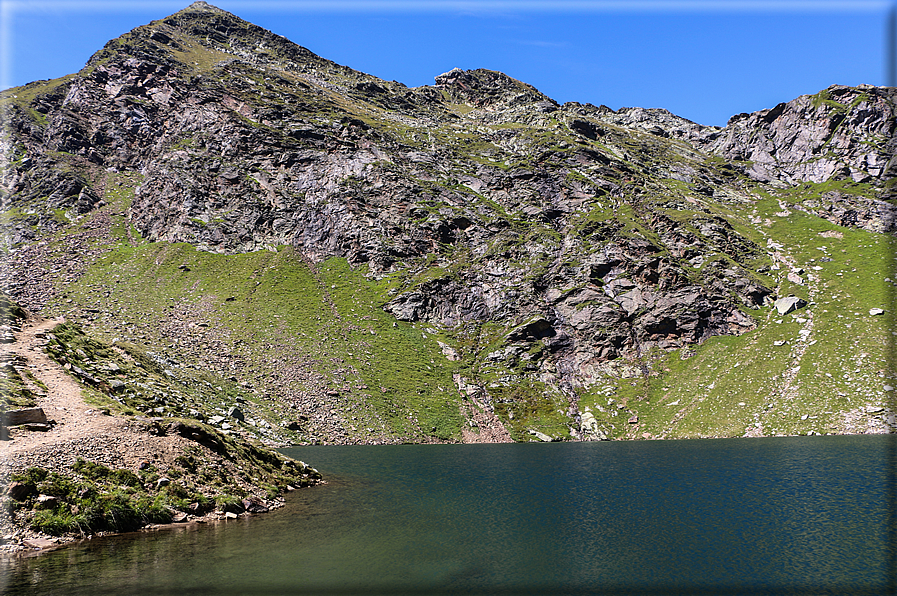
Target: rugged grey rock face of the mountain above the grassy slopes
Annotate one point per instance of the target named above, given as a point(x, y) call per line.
point(589, 235)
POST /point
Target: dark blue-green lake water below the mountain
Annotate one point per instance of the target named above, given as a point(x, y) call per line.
point(789, 515)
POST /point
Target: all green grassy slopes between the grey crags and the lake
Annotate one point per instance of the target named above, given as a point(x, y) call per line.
point(391, 378)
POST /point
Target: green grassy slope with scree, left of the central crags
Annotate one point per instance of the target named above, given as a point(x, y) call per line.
point(258, 313)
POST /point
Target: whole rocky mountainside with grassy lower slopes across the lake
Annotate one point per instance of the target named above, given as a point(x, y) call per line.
point(364, 261)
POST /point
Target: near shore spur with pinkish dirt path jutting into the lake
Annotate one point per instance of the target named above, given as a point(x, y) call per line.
point(86, 467)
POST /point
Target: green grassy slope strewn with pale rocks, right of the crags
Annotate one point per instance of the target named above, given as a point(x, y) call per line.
point(730, 385)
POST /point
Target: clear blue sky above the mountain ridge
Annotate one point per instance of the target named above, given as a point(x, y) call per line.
point(704, 60)
